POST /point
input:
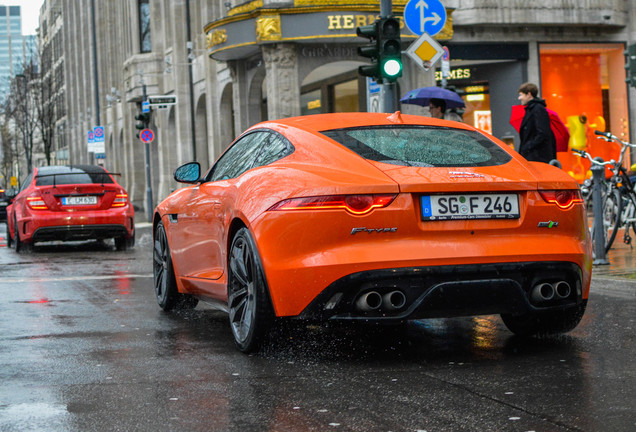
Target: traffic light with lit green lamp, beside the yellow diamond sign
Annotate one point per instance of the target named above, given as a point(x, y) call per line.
point(390, 49)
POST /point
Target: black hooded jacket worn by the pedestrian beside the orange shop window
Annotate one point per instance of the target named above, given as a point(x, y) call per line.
point(537, 140)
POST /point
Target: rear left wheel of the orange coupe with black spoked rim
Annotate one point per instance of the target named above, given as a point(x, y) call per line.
point(250, 309)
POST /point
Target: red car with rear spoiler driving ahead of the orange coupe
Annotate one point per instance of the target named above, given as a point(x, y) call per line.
point(78, 202)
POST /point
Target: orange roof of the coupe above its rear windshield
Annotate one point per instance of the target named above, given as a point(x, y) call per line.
point(322, 122)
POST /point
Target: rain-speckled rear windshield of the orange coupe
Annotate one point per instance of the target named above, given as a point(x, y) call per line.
point(421, 146)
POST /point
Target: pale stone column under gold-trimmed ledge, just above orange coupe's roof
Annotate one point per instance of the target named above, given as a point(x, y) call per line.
point(283, 86)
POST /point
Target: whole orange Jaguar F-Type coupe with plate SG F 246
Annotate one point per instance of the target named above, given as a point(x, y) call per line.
point(366, 216)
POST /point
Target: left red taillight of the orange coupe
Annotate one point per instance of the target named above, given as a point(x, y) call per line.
point(354, 204)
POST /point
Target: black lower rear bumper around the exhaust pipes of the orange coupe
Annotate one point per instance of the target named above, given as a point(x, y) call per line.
point(448, 291)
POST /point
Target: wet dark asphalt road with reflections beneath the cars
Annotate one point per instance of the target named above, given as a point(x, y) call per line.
point(84, 347)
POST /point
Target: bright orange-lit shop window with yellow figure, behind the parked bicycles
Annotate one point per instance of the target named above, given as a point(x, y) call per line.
point(585, 85)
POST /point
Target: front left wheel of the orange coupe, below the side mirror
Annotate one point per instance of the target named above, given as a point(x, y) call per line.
point(165, 283)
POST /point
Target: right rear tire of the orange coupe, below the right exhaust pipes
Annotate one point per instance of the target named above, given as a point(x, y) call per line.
point(545, 323)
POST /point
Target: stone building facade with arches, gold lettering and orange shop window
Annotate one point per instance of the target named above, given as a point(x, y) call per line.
point(231, 64)
